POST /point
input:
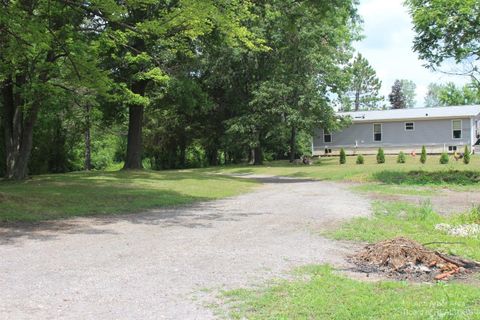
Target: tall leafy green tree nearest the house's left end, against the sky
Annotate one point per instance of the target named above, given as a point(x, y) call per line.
point(304, 65)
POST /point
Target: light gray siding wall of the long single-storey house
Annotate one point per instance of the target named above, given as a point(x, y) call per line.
point(435, 133)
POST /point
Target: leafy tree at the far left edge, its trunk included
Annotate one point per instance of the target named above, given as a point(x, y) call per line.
point(45, 46)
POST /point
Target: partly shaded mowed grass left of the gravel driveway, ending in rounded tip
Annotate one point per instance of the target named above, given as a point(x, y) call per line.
point(57, 196)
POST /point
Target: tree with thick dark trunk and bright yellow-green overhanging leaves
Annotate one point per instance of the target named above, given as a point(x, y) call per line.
point(150, 35)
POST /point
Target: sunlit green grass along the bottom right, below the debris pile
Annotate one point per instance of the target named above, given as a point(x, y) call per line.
point(327, 295)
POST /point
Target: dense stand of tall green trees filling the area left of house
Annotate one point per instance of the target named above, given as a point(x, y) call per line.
point(167, 84)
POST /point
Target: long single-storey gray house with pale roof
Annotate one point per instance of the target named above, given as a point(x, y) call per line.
point(438, 129)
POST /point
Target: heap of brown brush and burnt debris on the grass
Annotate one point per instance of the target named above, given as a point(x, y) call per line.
point(405, 259)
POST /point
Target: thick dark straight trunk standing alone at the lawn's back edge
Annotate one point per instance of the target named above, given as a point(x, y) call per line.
point(133, 160)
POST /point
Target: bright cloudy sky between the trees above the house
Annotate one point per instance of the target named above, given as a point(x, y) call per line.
point(388, 43)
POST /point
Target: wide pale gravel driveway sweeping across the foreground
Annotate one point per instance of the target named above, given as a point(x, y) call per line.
point(160, 264)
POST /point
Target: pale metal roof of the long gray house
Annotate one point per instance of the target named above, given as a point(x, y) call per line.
point(414, 113)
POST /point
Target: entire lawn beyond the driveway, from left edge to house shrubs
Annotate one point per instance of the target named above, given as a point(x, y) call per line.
point(65, 195)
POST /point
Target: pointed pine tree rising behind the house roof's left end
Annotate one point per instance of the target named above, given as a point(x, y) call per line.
point(364, 86)
